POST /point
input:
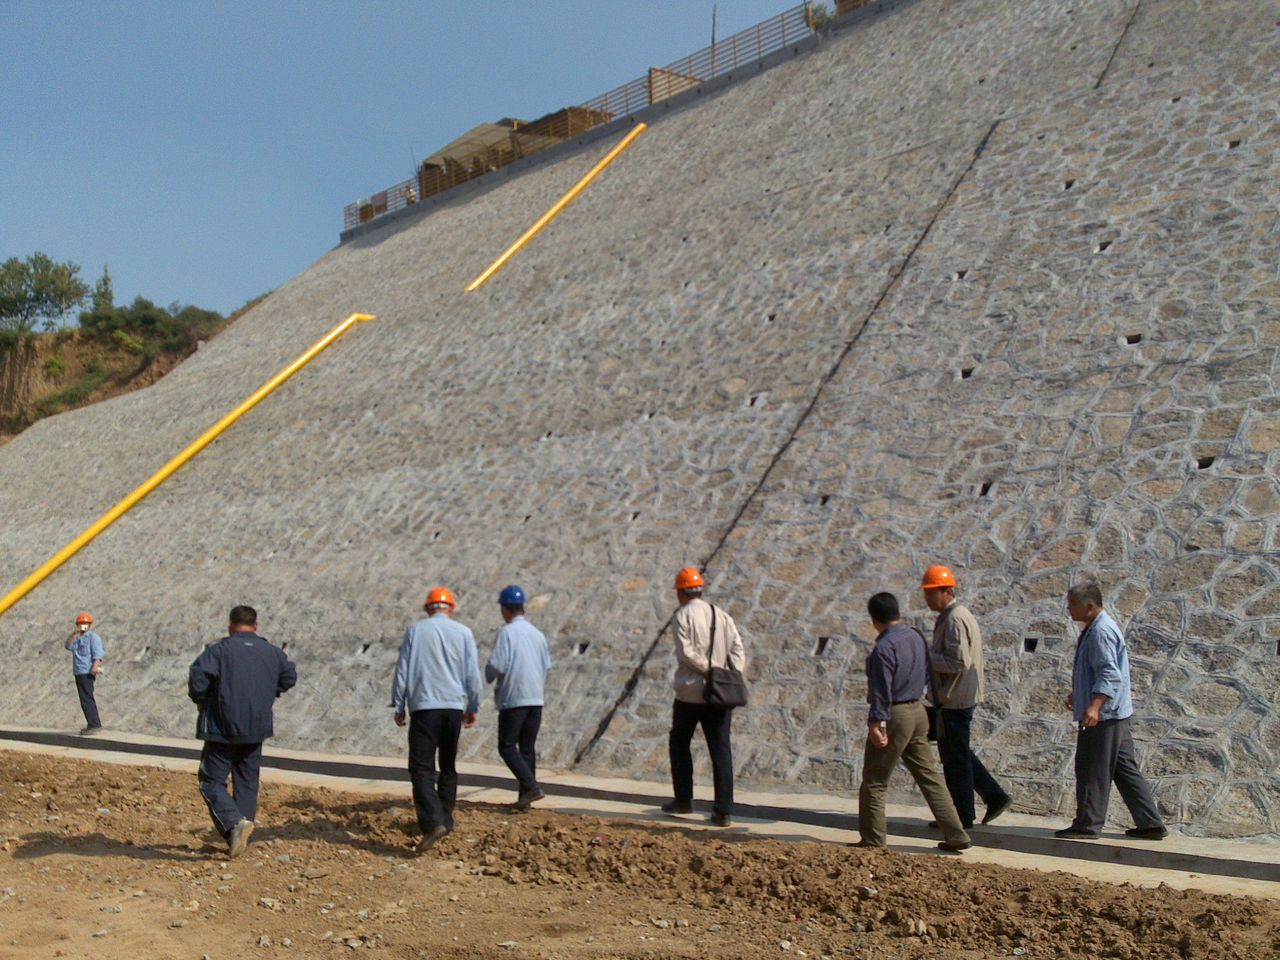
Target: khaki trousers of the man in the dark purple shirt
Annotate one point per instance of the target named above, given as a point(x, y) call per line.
point(908, 742)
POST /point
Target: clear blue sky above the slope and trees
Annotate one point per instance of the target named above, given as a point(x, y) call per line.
point(205, 150)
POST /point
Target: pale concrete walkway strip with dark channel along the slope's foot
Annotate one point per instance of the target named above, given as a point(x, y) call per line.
point(1250, 868)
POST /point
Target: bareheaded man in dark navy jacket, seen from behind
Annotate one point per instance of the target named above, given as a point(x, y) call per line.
point(235, 684)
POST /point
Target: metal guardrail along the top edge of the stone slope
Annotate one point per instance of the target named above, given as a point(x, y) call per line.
point(528, 139)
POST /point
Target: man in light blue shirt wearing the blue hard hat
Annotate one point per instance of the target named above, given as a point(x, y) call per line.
point(519, 664)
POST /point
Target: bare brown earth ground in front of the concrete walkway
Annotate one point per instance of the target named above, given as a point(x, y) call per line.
point(98, 861)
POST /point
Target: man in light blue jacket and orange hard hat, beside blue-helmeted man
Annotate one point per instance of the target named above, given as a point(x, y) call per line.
point(437, 692)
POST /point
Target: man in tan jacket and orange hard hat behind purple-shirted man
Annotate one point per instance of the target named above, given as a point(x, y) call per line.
point(956, 662)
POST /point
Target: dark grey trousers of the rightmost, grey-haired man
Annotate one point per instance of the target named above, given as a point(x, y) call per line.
point(1104, 755)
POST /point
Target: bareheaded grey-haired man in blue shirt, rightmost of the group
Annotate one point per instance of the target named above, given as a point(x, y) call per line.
point(1101, 705)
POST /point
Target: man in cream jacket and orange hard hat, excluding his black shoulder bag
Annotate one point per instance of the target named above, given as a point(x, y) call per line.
point(692, 628)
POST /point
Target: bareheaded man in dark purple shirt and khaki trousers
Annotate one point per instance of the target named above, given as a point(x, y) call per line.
point(898, 729)
